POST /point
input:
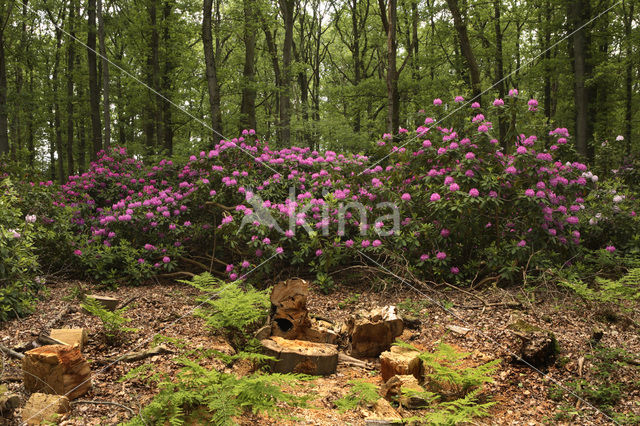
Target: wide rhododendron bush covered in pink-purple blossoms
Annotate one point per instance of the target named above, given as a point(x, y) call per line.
point(446, 200)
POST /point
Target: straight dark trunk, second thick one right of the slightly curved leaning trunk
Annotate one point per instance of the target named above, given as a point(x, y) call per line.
point(286, 7)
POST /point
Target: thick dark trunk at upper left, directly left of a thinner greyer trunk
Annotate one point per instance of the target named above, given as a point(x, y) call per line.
point(94, 93)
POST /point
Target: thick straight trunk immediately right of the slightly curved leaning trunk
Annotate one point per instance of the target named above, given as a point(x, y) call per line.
point(248, 103)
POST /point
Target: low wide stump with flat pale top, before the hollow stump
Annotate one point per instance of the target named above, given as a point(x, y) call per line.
point(300, 356)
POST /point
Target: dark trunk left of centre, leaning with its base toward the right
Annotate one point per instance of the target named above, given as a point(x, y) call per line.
point(211, 69)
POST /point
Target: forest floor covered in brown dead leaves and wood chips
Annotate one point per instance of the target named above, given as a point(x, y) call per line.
point(522, 395)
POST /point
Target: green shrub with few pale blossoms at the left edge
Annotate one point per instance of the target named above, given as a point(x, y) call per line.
point(19, 282)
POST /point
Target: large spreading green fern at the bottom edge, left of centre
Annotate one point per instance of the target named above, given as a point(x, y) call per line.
point(202, 396)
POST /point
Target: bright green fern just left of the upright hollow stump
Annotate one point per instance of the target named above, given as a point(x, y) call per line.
point(229, 308)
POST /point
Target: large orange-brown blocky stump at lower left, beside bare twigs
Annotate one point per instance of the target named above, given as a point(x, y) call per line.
point(56, 369)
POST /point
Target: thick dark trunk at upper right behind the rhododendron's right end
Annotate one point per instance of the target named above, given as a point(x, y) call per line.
point(579, 52)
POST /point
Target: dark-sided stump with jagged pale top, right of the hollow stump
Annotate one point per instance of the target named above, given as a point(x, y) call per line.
point(372, 332)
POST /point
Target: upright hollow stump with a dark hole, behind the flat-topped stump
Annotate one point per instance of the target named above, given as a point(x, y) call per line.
point(290, 316)
